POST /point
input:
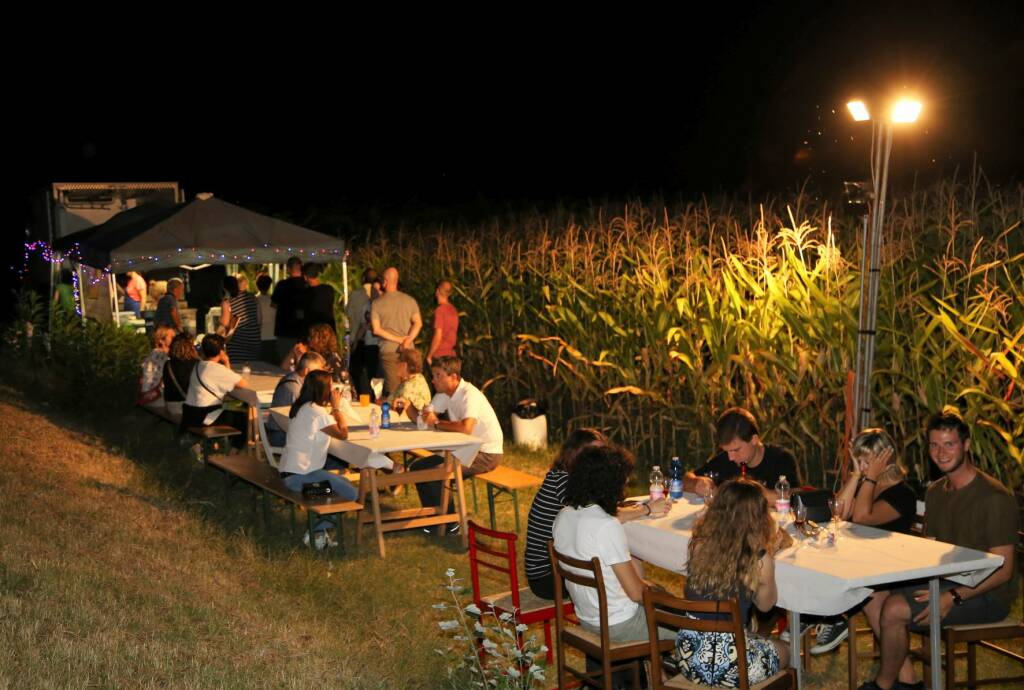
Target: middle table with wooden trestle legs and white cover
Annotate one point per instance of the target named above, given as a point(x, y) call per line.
point(369, 456)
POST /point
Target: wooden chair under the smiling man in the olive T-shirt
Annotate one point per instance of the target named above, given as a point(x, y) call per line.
point(984, 635)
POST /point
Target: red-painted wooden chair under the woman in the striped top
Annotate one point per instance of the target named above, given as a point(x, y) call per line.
point(499, 554)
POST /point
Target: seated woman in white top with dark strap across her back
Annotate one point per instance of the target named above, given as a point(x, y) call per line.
point(211, 380)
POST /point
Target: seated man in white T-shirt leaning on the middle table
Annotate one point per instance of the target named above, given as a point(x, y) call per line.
point(468, 413)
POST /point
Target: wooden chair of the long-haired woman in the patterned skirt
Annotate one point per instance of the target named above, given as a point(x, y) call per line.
point(666, 611)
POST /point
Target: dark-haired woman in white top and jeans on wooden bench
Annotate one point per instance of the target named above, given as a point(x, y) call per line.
point(310, 435)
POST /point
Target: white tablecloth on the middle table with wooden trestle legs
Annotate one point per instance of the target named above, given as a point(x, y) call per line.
point(361, 451)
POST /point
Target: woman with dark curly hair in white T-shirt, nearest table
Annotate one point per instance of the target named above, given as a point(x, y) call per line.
point(587, 528)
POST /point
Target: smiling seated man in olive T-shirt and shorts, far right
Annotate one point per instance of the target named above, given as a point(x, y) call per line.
point(967, 508)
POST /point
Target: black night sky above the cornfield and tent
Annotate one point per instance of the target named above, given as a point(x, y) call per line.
point(510, 110)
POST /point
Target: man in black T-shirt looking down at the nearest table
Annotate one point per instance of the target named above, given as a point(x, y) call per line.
point(737, 436)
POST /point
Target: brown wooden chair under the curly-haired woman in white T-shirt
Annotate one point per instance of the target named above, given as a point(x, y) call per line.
point(613, 656)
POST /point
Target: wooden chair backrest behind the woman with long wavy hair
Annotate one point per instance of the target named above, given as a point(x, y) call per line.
point(665, 611)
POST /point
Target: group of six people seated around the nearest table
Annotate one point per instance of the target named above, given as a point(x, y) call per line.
point(735, 541)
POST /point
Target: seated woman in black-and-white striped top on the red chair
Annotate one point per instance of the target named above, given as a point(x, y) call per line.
point(551, 498)
